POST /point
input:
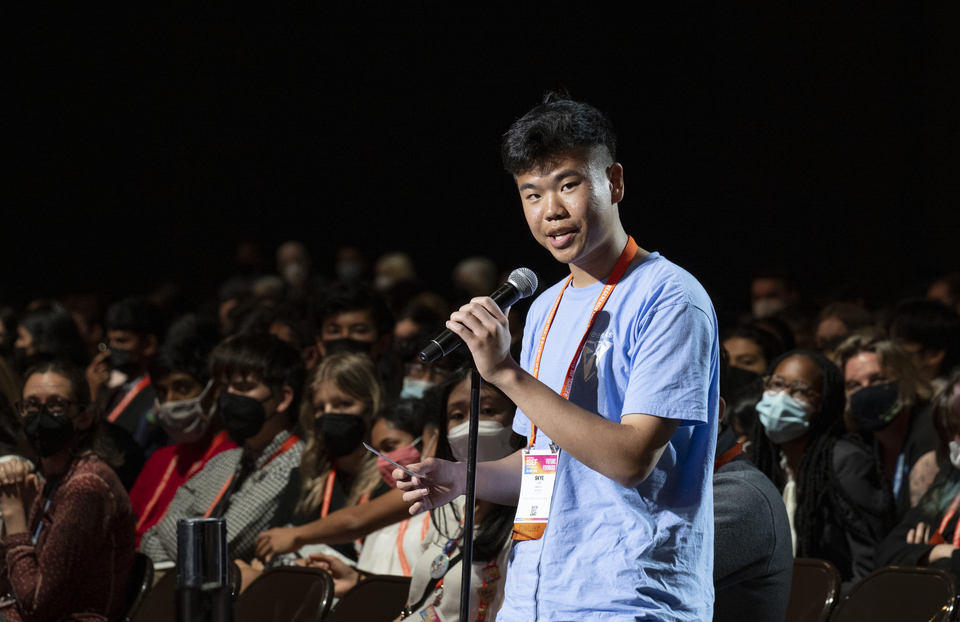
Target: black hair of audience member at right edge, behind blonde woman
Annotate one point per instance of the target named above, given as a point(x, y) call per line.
point(933, 325)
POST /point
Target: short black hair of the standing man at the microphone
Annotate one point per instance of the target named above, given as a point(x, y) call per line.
point(554, 127)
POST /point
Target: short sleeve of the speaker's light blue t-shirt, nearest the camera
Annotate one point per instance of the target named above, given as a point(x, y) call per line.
point(675, 360)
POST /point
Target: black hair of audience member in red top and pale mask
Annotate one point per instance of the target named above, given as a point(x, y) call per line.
point(187, 349)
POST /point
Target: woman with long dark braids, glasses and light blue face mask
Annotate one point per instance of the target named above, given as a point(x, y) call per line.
point(839, 503)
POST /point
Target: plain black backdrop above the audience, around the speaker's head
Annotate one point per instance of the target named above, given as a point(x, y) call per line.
point(144, 145)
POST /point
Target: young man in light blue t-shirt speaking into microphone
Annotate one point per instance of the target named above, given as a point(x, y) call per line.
point(617, 393)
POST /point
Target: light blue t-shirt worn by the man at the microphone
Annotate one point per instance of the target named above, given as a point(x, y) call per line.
point(609, 552)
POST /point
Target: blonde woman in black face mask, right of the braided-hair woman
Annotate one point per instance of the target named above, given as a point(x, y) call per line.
point(888, 403)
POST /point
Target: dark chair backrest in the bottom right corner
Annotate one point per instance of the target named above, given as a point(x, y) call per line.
point(902, 593)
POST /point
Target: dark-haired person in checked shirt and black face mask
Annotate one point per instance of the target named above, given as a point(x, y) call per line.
point(261, 381)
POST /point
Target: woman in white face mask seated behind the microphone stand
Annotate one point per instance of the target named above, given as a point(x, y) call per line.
point(441, 555)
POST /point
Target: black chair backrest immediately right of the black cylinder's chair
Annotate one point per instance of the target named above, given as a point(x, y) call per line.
point(287, 594)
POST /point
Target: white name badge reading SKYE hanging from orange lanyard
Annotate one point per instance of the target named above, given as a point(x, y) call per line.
point(536, 492)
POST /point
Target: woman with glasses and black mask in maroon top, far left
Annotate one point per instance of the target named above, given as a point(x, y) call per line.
point(70, 542)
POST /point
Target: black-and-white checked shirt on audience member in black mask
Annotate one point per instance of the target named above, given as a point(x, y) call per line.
point(265, 499)
